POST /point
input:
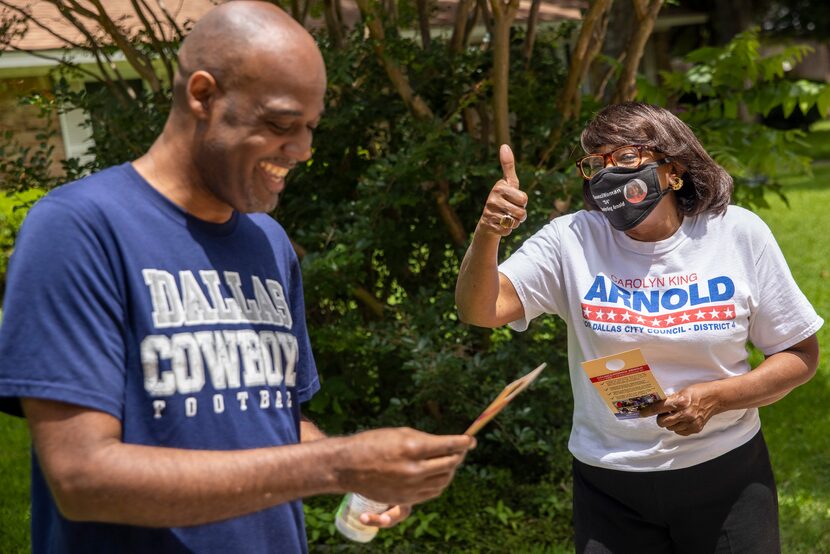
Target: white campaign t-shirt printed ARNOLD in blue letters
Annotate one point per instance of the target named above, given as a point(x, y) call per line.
point(689, 302)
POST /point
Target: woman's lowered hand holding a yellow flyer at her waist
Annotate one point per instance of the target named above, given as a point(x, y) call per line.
point(687, 411)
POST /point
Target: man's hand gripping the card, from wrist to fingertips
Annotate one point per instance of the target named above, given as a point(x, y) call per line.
point(401, 466)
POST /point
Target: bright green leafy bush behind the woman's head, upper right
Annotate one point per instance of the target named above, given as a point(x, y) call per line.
point(725, 95)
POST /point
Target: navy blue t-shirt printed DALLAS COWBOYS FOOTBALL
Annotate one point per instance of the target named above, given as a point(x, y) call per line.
point(192, 334)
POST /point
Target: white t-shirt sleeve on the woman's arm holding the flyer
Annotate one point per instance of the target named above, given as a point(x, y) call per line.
point(781, 315)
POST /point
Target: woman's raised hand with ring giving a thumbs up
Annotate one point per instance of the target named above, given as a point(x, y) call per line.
point(505, 206)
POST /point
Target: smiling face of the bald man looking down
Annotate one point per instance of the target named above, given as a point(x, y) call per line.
point(260, 127)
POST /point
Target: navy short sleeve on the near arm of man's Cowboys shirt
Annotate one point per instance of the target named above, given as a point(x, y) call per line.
point(62, 334)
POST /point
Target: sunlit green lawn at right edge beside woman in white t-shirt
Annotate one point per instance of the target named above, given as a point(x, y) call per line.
point(797, 427)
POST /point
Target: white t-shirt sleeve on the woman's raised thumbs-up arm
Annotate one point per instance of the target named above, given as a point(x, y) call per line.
point(535, 270)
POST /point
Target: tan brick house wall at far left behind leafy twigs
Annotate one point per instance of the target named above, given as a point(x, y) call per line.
point(24, 121)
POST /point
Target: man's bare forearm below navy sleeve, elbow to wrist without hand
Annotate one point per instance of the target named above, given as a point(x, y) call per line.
point(169, 487)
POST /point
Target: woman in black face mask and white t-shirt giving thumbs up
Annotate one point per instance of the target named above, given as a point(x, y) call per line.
point(689, 280)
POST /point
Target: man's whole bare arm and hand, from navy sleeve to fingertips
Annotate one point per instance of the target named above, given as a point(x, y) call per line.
point(94, 476)
